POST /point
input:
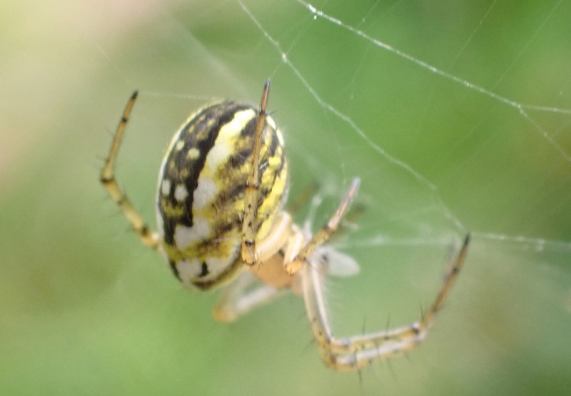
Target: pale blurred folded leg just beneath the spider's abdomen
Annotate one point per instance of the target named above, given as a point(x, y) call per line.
point(238, 300)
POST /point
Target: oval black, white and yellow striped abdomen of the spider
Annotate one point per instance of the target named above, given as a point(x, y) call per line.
point(200, 198)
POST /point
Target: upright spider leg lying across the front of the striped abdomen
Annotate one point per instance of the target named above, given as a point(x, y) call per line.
point(251, 195)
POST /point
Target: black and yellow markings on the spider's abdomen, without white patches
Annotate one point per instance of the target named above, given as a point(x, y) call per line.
point(184, 164)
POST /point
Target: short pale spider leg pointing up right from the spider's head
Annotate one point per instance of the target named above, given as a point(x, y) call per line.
point(325, 232)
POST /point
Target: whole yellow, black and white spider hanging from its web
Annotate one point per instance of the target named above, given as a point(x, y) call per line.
point(220, 213)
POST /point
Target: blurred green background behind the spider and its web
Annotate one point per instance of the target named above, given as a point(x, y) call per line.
point(85, 309)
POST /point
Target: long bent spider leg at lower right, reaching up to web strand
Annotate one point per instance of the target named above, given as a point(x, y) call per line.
point(356, 352)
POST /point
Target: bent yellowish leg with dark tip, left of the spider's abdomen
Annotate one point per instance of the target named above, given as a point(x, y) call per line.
point(107, 178)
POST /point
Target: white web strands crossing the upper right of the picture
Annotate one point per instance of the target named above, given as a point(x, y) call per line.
point(523, 109)
